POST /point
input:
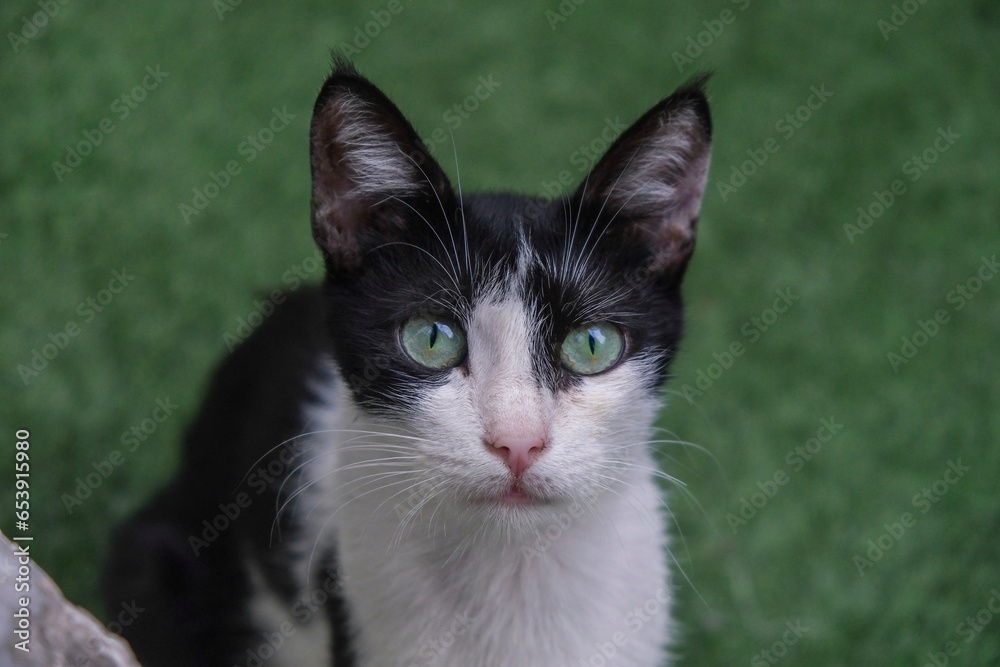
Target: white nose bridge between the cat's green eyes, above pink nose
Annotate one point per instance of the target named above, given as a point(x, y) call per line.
point(507, 396)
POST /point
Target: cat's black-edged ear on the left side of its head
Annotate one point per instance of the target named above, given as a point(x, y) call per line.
point(371, 173)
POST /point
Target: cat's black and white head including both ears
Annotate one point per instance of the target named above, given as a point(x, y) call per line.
point(515, 348)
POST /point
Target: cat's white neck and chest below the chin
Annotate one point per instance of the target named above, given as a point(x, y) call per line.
point(569, 585)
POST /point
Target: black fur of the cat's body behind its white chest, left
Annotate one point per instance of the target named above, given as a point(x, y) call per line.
point(194, 606)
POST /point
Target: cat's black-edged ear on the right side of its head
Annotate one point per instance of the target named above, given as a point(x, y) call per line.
point(650, 183)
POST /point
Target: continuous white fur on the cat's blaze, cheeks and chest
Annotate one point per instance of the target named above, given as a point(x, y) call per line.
point(435, 576)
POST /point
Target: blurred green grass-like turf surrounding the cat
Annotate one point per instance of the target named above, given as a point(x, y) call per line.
point(784, 228)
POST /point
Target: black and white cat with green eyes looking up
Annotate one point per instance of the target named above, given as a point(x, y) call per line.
point(442, 456)
